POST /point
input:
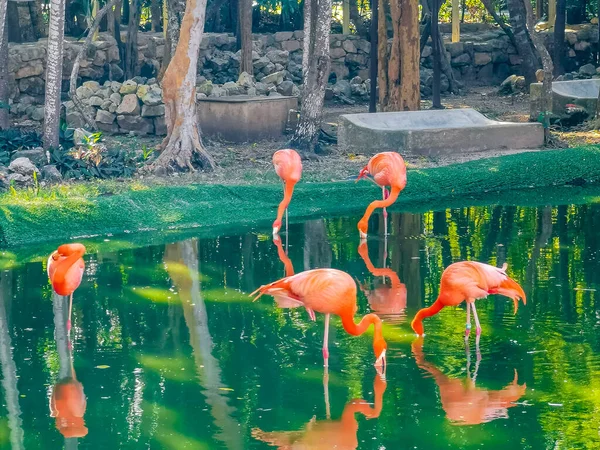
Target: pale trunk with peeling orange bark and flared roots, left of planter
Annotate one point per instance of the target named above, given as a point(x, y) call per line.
point(183, 144)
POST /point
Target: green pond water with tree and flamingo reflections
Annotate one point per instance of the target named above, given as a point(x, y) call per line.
point(172, 354)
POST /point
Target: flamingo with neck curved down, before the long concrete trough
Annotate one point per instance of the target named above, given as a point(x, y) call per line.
point(387, 169)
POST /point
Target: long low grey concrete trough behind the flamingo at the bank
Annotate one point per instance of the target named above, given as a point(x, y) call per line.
point(434, 132)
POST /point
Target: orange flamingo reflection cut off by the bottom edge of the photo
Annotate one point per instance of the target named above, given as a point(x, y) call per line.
point(328, 434)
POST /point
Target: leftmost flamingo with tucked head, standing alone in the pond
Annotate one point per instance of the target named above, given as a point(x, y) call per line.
point(65, 270)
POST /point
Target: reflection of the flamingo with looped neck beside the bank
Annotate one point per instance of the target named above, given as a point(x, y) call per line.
point(384, 300)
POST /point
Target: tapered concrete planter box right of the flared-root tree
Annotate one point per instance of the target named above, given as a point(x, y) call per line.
point(243, 118)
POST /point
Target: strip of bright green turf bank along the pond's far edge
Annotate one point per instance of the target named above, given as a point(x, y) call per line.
point(79, 211)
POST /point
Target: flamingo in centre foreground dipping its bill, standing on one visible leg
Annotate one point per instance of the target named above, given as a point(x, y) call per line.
point(328, 291)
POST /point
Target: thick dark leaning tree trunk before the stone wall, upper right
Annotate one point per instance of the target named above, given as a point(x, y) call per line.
point(524, 44)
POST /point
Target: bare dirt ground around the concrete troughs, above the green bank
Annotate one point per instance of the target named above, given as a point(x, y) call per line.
point(251, 162)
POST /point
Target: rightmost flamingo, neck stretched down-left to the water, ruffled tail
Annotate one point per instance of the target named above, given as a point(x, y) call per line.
point(470, 281)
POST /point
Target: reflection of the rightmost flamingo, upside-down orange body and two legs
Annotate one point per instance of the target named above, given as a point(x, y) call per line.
point(465, 403)
